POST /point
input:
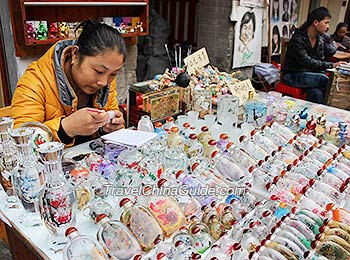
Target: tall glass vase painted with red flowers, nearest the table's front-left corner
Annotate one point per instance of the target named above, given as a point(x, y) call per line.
point(57, 201)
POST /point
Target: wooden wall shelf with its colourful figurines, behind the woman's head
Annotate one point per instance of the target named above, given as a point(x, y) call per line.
point(38, 24)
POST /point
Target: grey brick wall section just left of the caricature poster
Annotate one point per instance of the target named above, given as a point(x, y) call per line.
point(216, 31)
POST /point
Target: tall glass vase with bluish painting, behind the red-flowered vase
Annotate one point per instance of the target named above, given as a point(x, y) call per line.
point(28, 175)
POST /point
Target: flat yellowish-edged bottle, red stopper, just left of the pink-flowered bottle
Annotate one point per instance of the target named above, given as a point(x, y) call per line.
point(141, 224)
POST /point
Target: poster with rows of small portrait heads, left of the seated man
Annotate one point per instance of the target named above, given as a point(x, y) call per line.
point(283, 22)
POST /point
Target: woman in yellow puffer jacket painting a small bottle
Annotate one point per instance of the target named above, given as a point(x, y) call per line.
point(70, 88)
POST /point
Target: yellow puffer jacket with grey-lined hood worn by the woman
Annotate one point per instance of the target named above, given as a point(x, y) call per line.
point(43, 94)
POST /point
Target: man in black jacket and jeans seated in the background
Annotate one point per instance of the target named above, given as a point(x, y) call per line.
point(304, 62)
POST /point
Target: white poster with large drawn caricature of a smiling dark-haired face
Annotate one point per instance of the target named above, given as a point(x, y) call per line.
point(248, 34)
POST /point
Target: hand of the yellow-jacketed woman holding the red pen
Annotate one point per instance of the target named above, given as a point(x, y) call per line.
point(85, 121)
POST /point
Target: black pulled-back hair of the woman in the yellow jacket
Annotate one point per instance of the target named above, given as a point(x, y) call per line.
point(97, 37)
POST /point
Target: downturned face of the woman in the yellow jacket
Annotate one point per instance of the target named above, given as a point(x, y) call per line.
point(94, 72)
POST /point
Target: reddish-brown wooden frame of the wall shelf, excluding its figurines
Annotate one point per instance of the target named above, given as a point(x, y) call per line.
point(70, 11)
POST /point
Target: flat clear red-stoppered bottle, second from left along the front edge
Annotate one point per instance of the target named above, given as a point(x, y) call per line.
point(116, 239)
